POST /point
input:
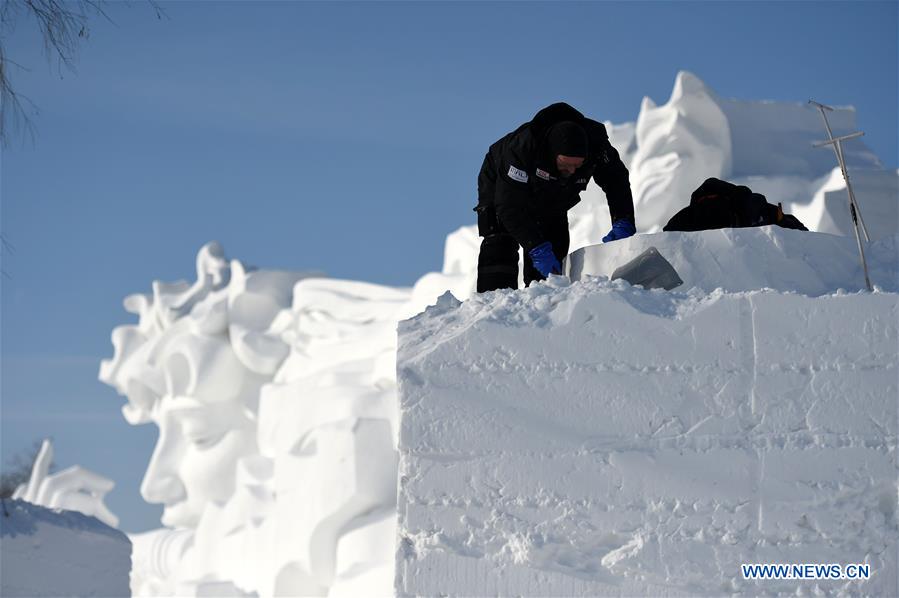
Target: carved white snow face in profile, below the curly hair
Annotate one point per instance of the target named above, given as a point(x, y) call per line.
point(205, 427)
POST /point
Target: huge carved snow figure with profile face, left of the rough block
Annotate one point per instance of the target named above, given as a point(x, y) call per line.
point(275, 398)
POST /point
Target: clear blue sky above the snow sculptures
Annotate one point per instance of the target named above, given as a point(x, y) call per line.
point(337, 137)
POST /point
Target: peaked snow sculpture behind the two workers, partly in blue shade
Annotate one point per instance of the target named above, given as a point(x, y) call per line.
point(696, 134)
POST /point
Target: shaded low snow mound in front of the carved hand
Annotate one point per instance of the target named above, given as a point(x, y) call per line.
point(61, 553)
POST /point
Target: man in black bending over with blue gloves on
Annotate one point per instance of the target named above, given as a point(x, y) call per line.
point(530, 179)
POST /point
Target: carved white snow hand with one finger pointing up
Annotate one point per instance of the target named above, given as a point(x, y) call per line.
point(72, 489)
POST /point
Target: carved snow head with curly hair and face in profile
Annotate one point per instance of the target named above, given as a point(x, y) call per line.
point(179, 370)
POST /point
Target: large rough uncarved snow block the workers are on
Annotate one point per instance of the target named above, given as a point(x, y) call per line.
point(601, 439)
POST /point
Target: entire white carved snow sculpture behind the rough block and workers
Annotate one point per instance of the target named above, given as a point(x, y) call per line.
point(275, 392)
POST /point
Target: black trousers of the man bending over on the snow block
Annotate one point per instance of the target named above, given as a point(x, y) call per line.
point(498, 259)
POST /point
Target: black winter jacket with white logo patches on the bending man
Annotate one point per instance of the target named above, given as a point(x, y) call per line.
point(520, 181)
